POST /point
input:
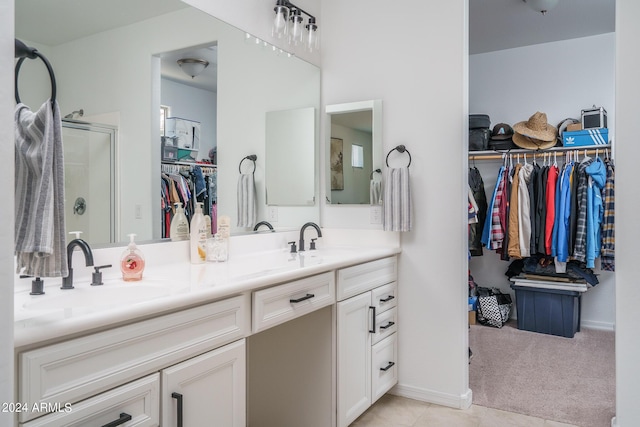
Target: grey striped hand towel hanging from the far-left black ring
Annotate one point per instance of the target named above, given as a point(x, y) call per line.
point(39, 200)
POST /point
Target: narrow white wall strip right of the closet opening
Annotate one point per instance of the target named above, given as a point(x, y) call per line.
point(627, 206)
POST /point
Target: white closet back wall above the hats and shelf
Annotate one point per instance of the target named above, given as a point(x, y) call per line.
point(559, 79)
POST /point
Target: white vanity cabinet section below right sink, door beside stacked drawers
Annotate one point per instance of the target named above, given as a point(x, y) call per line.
point(366, 336)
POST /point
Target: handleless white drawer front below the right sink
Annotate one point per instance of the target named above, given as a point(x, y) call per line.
point(364, 277)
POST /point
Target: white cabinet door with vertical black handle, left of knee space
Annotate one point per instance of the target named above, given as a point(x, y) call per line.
point(208, 390)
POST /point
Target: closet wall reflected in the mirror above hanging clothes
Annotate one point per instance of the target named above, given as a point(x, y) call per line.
point(194, 104)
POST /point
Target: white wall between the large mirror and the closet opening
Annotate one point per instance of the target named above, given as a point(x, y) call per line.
point(414, 59)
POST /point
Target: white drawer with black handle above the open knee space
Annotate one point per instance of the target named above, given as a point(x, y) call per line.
point(285, 302)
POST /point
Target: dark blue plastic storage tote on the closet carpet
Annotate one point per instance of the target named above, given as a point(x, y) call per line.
point(548, 311)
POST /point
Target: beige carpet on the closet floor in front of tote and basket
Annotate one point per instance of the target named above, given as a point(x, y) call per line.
point(570, 380)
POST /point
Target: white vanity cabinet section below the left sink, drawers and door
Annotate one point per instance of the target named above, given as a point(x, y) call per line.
point(199, 351)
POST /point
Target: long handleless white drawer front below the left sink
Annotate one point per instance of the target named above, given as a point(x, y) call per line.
point(78, 368)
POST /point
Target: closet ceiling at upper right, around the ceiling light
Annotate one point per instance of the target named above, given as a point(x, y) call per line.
point(505, 24)
